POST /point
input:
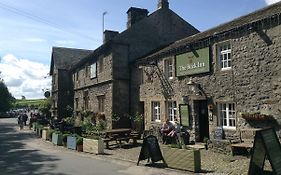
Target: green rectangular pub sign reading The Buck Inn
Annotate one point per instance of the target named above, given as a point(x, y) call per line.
point(194, 62)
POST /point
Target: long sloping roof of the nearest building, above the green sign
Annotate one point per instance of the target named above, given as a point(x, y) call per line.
point(253, 17)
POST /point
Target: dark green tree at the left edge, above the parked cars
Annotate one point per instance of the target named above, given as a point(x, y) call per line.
point(7, 99)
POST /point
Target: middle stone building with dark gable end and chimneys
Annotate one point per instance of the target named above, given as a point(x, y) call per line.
point(102, 79)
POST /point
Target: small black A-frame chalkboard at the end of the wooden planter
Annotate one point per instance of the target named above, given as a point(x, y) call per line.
point(150, 150)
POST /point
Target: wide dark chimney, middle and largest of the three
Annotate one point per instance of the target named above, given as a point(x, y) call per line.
point(135, 15)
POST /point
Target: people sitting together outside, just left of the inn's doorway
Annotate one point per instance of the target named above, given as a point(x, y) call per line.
point(170, 130)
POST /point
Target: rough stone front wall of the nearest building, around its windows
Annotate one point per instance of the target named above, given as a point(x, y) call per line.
point(253, 83)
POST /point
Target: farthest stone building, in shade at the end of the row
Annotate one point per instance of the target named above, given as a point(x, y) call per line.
point(62, 91)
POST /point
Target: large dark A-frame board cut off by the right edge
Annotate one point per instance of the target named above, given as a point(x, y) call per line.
point(266, 144)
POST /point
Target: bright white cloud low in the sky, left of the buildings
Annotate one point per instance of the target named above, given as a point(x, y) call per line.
point(24, 77)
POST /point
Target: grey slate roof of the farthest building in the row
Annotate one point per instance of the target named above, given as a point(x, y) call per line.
point(64, 58)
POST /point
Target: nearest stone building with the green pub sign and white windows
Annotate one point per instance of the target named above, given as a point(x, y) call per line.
point(228, 76)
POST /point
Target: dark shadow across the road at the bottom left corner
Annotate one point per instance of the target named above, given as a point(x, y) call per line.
point(17, 159)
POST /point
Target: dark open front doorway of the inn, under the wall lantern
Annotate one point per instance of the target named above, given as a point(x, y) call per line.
point(201, 109)
